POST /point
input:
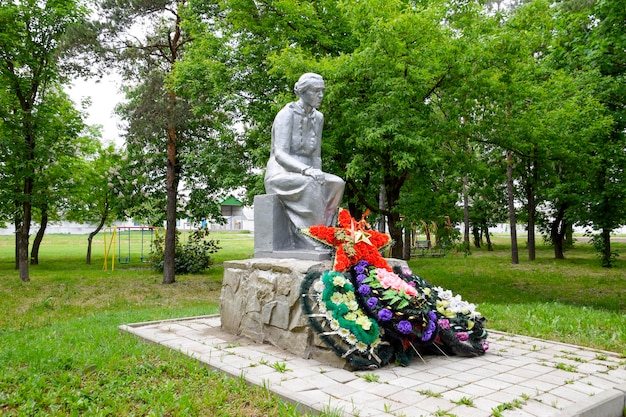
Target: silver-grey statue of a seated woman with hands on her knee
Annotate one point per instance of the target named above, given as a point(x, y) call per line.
point(294, 171)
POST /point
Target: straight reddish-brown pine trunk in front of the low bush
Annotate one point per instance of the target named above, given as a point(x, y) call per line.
point(169, 266)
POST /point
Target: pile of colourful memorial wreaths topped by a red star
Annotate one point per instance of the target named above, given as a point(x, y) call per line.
point(366, 306)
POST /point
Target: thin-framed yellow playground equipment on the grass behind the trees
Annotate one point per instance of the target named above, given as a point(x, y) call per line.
point(123, 238)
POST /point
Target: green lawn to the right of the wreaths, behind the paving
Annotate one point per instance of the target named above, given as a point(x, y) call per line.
point(572, 300)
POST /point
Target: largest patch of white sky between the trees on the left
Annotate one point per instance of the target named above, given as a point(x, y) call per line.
point(105, 95)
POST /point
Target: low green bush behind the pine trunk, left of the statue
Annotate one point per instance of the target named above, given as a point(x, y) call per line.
point(190, 257)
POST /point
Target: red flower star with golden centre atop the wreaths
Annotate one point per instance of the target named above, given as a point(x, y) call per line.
point(353, 241)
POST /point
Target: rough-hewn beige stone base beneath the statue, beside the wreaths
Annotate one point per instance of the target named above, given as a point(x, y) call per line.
point(260, 300)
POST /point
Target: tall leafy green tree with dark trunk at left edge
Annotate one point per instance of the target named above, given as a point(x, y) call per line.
point(32, 42)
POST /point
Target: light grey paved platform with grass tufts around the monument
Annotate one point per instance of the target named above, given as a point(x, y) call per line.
point(519, 376)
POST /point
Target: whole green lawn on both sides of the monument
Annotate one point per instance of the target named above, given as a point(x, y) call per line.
point(61, 352)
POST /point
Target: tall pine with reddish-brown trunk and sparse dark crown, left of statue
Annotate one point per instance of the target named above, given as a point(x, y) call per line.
point(156, 117)
